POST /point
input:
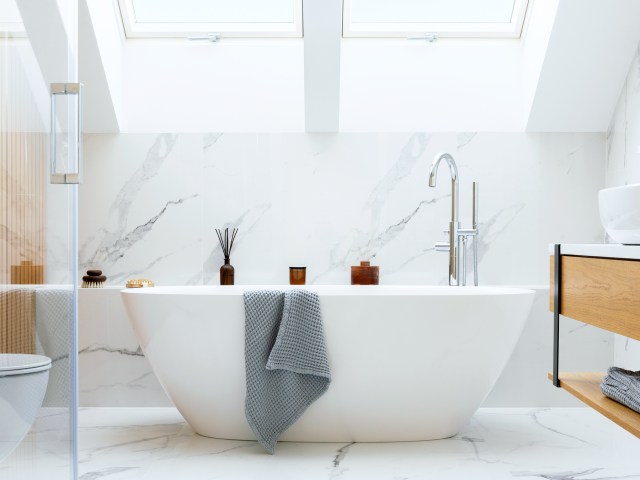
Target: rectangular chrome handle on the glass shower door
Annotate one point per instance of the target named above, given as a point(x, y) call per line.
point(67, 156)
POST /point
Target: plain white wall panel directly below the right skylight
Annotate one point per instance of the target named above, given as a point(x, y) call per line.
point(404, 85)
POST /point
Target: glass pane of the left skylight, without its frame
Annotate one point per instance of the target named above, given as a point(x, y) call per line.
point(214, 11)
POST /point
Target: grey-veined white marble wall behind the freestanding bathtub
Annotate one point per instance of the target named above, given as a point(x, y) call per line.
point(150, 203)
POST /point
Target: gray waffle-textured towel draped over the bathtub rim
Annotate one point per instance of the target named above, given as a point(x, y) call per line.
point(285, 360)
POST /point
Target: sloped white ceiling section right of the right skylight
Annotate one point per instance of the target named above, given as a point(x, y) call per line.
point(590, 49)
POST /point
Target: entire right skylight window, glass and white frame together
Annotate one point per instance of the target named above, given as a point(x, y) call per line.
point(446, 18)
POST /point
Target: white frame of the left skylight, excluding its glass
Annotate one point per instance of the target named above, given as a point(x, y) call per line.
point(134, 29)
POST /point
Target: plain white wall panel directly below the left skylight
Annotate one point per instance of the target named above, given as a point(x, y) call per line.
point(246, 86)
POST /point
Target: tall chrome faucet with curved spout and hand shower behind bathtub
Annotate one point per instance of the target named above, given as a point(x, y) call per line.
point(458, 237)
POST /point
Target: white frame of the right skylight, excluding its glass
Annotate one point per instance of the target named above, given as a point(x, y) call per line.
point(489, 30)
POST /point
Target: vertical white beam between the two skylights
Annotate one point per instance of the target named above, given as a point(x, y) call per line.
point(322, 37)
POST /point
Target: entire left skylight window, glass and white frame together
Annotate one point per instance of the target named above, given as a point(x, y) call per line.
point(230, 18)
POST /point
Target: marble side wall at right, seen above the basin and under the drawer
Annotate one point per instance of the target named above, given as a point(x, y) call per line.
point(623, 168)
